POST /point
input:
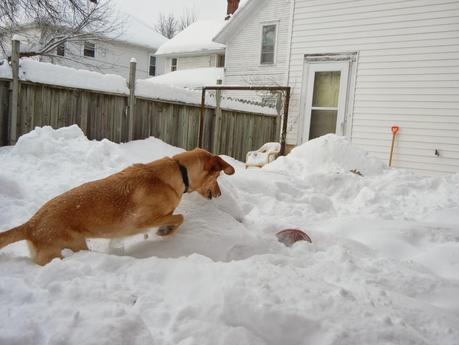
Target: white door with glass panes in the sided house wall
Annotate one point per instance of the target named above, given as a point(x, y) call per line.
point(326, 99)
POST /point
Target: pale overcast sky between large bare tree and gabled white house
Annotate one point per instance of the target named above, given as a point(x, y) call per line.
point(147, 10)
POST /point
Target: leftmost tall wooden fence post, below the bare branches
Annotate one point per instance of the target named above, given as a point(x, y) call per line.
point(13, 121)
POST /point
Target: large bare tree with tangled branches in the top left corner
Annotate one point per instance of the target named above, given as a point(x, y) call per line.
point(58, 21)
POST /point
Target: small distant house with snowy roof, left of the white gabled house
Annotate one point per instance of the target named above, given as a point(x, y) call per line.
point(194, 48)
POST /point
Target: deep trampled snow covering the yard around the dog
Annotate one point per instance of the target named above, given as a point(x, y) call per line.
point(382, 268)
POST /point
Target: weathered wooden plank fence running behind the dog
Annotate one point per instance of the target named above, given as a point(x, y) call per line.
point(105, 115)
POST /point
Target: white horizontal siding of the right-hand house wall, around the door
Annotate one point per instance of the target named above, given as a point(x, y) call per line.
point(407, 74)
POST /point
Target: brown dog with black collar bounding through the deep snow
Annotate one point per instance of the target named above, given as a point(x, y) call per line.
point(126, 203)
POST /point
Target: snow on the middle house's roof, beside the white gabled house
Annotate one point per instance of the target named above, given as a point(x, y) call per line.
point(195, 38)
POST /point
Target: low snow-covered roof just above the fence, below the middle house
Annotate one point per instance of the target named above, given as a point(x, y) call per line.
point(190, 78)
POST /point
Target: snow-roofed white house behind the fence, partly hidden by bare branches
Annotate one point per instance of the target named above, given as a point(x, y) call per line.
point(109, 55)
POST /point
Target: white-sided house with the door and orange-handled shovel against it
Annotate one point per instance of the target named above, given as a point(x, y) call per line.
point(357, 68)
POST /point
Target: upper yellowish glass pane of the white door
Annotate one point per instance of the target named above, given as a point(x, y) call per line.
point(326, 89)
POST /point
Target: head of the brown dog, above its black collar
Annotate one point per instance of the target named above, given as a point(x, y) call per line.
point(203, 170)
